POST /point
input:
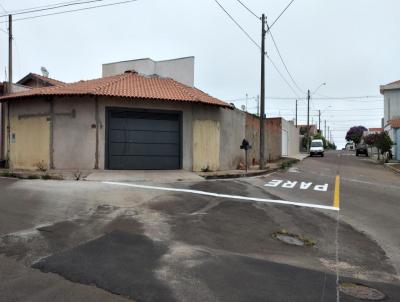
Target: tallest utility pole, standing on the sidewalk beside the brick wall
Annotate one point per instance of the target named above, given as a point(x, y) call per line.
point(262, 94)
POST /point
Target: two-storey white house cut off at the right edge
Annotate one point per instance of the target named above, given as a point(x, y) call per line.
point(391, 93)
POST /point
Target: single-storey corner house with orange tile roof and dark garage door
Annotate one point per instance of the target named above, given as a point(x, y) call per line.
point(126, 121)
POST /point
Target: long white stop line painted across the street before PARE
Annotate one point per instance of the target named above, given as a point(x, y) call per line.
point(237, 197)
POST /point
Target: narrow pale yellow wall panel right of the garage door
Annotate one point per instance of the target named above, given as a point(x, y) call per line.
point(206, 139)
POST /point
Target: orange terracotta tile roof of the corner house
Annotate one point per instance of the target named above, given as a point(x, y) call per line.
point(127, 85)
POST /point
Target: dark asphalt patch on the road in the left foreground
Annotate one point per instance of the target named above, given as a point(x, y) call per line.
point(119, 262)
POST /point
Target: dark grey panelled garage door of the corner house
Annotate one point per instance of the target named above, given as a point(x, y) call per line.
point(143, 140)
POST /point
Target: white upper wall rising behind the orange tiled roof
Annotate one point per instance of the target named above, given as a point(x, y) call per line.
point(181, 69)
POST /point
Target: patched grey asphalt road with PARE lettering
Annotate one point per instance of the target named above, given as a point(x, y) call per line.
point(90, 241)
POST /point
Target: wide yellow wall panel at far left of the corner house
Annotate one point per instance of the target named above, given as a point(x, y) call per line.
point(31, 145)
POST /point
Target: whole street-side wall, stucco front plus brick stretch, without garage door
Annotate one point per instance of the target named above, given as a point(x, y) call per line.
point(77, 132)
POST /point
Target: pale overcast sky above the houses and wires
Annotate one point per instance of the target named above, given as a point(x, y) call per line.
point(352, 45)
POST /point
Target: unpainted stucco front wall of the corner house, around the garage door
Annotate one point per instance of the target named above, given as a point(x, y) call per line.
point(74, 136)
